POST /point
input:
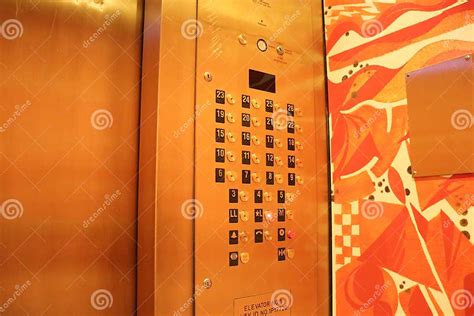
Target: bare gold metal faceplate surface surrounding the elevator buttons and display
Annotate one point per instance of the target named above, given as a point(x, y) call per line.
point(227, 48)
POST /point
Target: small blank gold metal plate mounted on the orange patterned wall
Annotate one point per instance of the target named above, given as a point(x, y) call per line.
point(441, 109)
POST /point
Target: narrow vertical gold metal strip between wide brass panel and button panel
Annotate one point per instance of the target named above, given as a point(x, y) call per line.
point(165, 280)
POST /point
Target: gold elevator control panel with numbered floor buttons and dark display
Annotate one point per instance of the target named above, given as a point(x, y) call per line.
point(255, 160)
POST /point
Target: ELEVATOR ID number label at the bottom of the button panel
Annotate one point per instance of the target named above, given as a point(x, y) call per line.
point(259, 305)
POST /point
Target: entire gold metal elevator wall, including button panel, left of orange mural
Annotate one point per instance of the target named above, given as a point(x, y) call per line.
point(164, 158)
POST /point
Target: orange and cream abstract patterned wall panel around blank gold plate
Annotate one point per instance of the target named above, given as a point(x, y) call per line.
point(400, 246)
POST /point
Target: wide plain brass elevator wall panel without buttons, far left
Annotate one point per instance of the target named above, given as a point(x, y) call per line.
point(69, 112)
